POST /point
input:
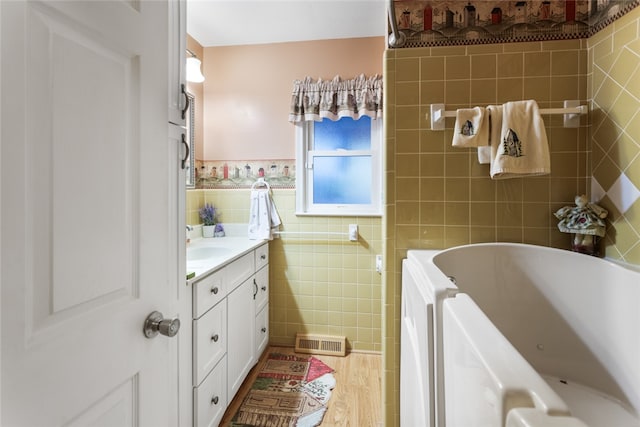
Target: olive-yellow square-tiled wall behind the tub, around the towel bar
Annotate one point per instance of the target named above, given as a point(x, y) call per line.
point(439, 196)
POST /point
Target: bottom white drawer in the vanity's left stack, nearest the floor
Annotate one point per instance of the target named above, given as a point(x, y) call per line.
point(210, 398)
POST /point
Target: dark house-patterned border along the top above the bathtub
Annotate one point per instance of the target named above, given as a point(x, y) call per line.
point(455, 22)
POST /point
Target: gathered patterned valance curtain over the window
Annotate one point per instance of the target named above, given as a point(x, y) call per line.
point(336, 98)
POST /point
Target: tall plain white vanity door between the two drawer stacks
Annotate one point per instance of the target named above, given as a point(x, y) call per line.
point(240, 336)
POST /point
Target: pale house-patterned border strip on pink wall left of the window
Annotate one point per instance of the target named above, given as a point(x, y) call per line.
point(243, 173)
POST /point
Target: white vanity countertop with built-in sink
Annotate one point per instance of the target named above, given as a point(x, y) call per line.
point(205, 255)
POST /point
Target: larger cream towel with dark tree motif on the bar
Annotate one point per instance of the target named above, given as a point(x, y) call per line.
point(522, 149)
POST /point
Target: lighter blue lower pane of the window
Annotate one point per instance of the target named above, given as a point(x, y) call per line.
point(342, 180)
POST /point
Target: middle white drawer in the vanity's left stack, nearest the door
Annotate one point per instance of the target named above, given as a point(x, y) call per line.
point(209, 341)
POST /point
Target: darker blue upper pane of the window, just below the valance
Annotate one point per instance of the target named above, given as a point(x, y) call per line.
point(345, 134)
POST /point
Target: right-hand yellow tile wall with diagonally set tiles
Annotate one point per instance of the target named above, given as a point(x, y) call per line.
point(614, 86)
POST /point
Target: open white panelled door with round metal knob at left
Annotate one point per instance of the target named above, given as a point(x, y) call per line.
point(88, 237)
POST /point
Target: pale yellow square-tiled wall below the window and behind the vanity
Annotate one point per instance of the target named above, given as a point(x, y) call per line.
point(319, 284)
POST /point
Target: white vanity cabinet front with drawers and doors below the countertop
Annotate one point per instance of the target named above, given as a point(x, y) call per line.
point(230, 330)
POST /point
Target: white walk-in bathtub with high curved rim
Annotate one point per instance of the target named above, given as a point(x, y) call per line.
point(518, 335)
